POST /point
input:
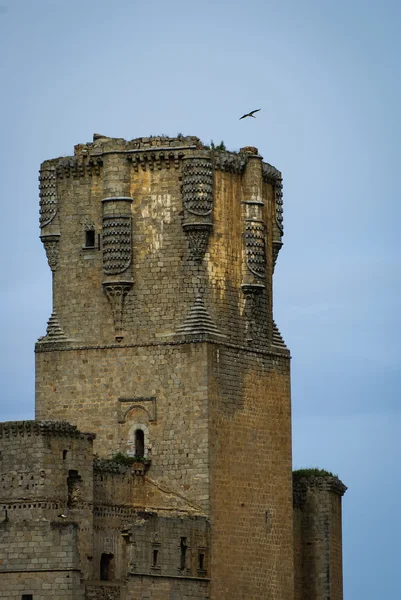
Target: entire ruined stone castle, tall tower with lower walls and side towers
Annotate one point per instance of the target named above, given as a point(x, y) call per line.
point(162, 344)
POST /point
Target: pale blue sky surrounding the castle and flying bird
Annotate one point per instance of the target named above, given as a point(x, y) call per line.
point(327, 77)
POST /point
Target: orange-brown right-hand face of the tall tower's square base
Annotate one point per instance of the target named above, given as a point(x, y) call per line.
point(250, 458)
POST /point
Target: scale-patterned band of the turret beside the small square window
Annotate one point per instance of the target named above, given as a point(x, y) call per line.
point(117, 244)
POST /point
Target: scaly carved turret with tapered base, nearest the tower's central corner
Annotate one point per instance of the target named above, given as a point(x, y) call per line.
point(197, 194)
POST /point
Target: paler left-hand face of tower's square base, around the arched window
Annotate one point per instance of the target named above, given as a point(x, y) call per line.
point(85, 387)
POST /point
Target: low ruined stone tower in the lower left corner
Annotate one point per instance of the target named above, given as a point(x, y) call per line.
point(46, 470)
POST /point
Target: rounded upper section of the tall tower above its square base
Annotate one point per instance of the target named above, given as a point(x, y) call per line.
point(162, 229)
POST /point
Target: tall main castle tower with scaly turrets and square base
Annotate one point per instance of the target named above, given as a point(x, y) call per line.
point(162, 339)
